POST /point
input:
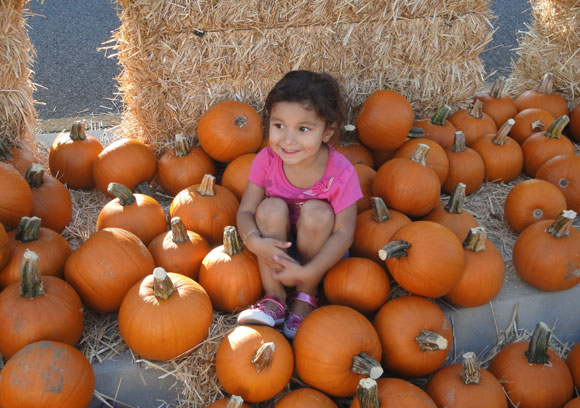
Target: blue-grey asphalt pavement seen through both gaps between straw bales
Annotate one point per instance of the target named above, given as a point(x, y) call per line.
point(75, 76)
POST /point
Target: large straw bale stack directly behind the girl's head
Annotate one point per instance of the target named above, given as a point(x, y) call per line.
point(180, 57)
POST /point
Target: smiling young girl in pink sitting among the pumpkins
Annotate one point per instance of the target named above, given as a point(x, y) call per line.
point(298, 211)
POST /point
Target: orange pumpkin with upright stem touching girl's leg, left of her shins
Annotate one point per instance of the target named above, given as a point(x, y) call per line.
point(230, 274)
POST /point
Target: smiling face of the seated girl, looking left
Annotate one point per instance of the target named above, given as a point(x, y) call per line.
point(296, 133)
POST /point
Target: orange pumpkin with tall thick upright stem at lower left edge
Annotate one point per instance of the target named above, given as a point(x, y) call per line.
point(38, 308)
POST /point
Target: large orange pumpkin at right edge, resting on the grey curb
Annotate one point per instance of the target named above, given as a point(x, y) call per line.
point(547, 253)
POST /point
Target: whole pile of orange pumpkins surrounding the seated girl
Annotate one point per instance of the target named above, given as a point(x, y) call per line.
point(165, 279)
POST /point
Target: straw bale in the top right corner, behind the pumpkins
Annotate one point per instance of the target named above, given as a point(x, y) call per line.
point(551, 44)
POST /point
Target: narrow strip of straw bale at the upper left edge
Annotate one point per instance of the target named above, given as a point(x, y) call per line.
point(18, 115)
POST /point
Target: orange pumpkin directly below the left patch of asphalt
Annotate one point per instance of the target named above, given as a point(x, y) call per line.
point(72, 155)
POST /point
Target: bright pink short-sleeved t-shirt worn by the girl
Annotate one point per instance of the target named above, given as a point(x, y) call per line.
point(339, 185)
